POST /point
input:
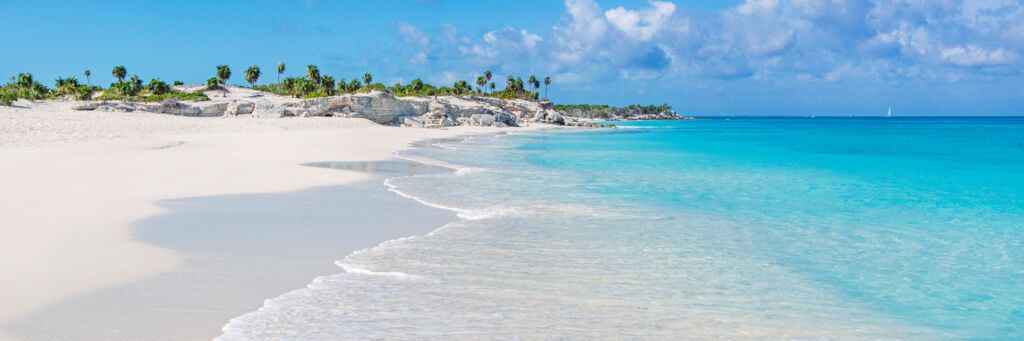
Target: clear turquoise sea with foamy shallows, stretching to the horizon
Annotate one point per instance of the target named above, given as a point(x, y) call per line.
point(743, 229)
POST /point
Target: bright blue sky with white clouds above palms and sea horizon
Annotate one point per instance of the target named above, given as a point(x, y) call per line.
point(774, 58)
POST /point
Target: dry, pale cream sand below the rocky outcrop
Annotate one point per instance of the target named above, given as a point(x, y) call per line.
point(76, 182)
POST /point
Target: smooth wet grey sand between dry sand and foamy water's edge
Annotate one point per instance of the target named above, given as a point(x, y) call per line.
point(239, 250)
